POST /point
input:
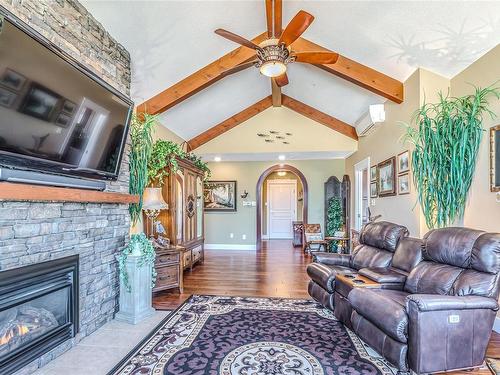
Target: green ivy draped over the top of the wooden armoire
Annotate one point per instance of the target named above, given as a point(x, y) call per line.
point(164, 158)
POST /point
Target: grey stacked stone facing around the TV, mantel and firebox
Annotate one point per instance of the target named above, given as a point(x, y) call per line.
point(32, 232)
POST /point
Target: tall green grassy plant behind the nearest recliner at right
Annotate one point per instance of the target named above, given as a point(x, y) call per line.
point(446, 137)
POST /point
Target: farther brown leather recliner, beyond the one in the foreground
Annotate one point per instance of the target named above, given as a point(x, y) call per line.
point(378, 242)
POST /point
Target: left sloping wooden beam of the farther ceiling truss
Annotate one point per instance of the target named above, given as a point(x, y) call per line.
point(230, 123)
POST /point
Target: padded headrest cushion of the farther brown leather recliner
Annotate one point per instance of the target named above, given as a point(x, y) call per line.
point(383, 235)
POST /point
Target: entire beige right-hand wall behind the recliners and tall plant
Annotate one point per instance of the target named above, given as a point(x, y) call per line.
point(482, 212)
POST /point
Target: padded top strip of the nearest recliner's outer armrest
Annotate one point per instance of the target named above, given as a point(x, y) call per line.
point(434, 302)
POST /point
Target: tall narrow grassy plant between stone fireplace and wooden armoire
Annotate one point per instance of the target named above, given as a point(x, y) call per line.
point(141, 144)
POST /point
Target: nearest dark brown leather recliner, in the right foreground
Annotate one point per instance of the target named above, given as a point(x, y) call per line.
point(443, 318)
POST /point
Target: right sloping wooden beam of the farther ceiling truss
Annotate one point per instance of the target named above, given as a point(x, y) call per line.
point(318, 116)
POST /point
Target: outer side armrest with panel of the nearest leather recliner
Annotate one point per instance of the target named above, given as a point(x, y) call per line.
point(448, 332)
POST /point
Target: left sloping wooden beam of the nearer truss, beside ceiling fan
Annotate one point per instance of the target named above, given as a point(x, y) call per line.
point(199, 80)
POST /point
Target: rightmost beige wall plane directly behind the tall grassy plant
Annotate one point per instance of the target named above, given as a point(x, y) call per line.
point(482, 211)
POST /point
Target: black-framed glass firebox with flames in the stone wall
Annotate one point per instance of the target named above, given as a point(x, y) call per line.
point(38, 310)
